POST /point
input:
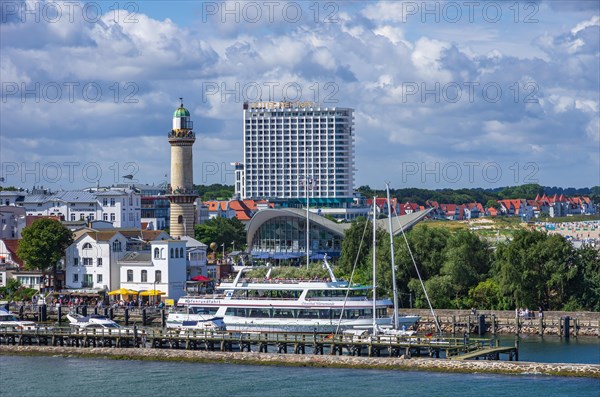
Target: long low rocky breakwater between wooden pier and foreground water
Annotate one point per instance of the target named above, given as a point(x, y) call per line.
point(387, 363)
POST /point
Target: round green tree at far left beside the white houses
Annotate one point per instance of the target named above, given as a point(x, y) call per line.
point(43, 245)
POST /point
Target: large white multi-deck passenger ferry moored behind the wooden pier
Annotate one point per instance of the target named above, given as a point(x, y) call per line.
point(272, 305)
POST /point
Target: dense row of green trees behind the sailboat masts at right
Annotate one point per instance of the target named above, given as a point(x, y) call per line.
point(462, 271)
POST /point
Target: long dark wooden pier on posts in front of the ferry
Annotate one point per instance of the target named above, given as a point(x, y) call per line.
point(277, 343)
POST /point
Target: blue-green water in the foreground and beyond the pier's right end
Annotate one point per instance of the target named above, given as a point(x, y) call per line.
point(76, 377)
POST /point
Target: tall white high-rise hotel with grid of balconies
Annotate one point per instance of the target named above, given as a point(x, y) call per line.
point(292, 146)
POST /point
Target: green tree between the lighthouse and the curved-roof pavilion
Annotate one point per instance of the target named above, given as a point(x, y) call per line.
point(222, 231)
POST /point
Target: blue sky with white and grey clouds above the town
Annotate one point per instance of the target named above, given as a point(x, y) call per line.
point(459, 94)
